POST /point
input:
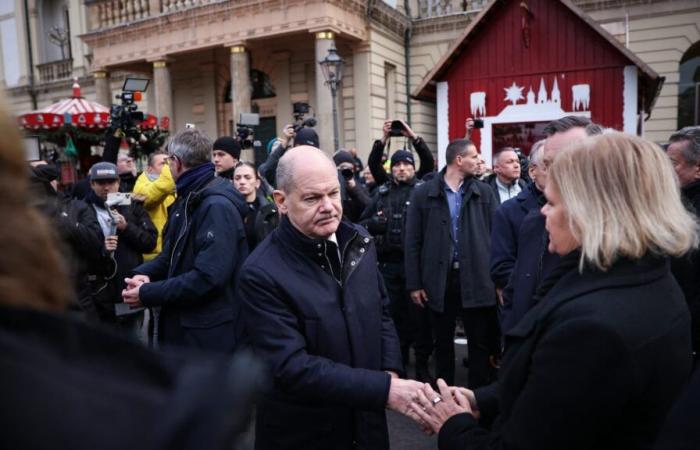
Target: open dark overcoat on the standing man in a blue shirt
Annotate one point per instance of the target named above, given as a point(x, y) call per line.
point(429, 245)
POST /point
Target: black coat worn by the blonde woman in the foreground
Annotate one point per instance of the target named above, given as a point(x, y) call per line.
point(596, 365)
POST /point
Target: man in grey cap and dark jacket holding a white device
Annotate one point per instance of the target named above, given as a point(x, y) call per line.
point(127, 232)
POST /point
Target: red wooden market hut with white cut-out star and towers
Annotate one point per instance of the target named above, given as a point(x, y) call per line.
point(523, 63)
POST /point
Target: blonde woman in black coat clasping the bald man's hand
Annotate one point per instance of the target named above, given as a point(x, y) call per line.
point(598, 361)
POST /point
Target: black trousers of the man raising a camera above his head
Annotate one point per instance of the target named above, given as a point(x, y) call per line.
point(412, 322)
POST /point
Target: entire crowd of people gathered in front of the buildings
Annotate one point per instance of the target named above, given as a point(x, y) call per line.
point(574, 280)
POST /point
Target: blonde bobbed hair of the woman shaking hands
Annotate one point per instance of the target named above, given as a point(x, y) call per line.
point(622, 200)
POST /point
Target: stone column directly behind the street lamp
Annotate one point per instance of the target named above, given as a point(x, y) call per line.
point(324, 100)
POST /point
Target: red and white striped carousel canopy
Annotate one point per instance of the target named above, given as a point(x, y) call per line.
point(75, 111)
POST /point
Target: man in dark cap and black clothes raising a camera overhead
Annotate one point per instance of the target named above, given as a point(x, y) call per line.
point(385, 219)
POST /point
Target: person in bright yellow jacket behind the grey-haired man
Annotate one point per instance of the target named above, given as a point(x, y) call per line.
point(156, 187)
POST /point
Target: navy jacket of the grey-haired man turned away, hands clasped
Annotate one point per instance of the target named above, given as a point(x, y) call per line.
point(194, 278)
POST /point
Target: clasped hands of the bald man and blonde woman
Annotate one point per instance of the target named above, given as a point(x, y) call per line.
point(428, 408)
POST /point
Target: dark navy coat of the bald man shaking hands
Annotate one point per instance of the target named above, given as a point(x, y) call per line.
point(327, 342)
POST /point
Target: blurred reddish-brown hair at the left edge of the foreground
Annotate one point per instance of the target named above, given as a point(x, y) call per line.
point(32, 274)
